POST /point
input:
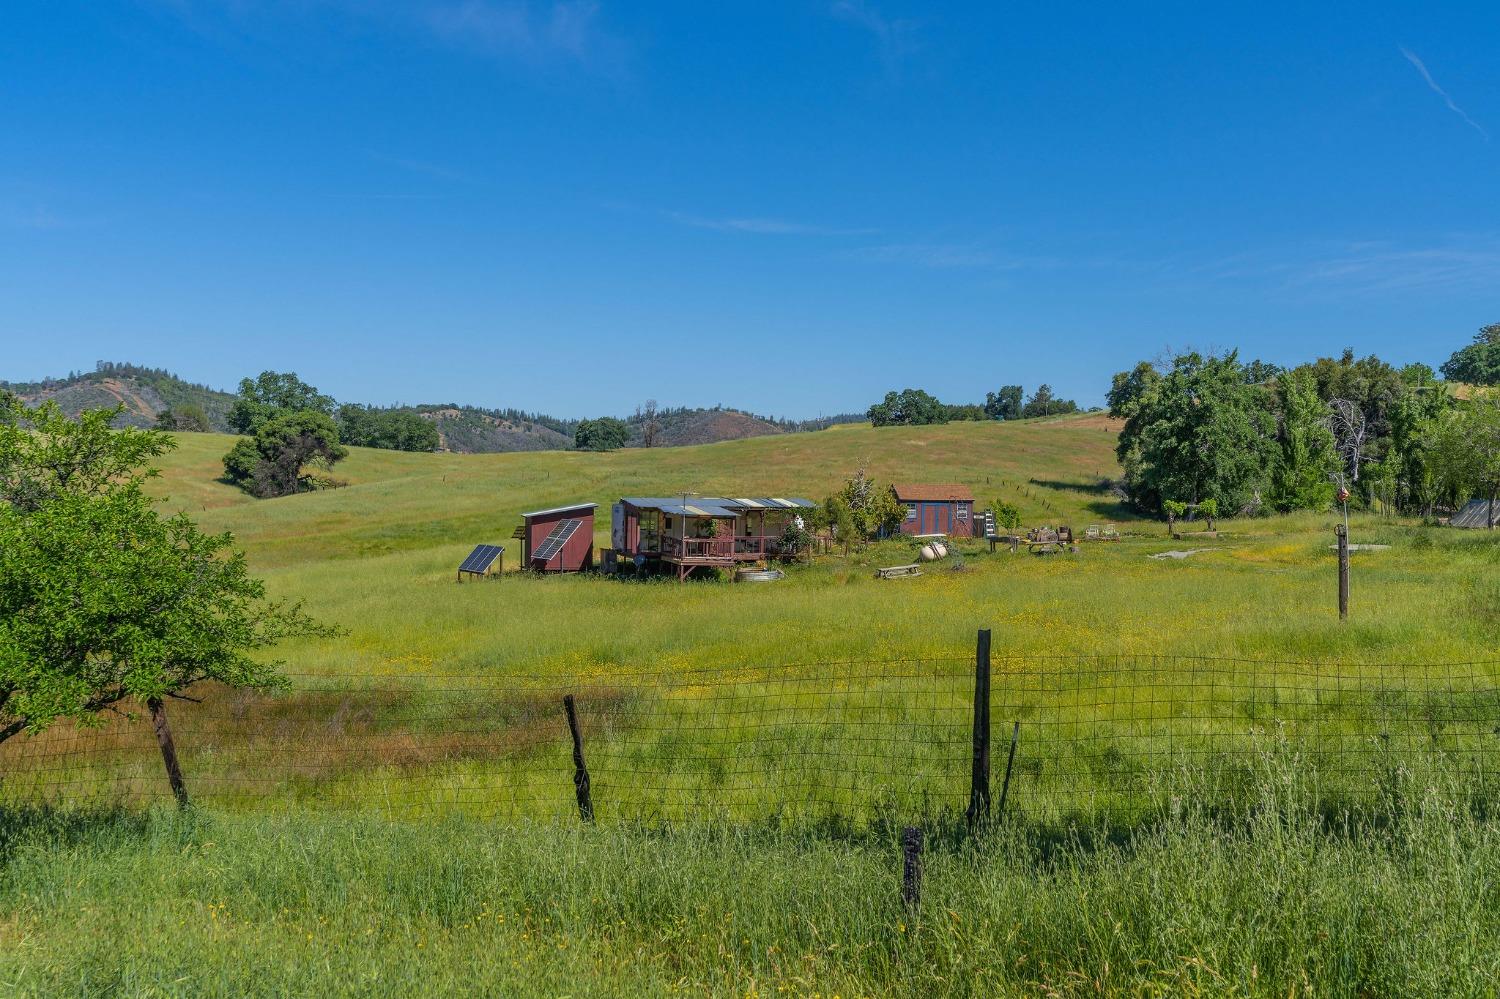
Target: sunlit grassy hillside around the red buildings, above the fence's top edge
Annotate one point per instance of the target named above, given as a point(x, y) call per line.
point(379, 559)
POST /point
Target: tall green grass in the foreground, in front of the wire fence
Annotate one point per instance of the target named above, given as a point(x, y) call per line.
point(1271, 898)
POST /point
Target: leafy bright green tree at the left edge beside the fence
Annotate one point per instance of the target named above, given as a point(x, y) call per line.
point(104, 601)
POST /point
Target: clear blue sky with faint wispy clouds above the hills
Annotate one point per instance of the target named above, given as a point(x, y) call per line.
point(790, 208)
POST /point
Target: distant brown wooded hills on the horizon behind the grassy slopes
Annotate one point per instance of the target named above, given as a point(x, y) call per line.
point(146, 392)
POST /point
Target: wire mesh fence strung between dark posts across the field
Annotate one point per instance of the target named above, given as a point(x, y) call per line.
point(788, 742)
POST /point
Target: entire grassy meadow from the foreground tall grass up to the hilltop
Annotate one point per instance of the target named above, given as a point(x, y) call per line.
point(401, 821)
